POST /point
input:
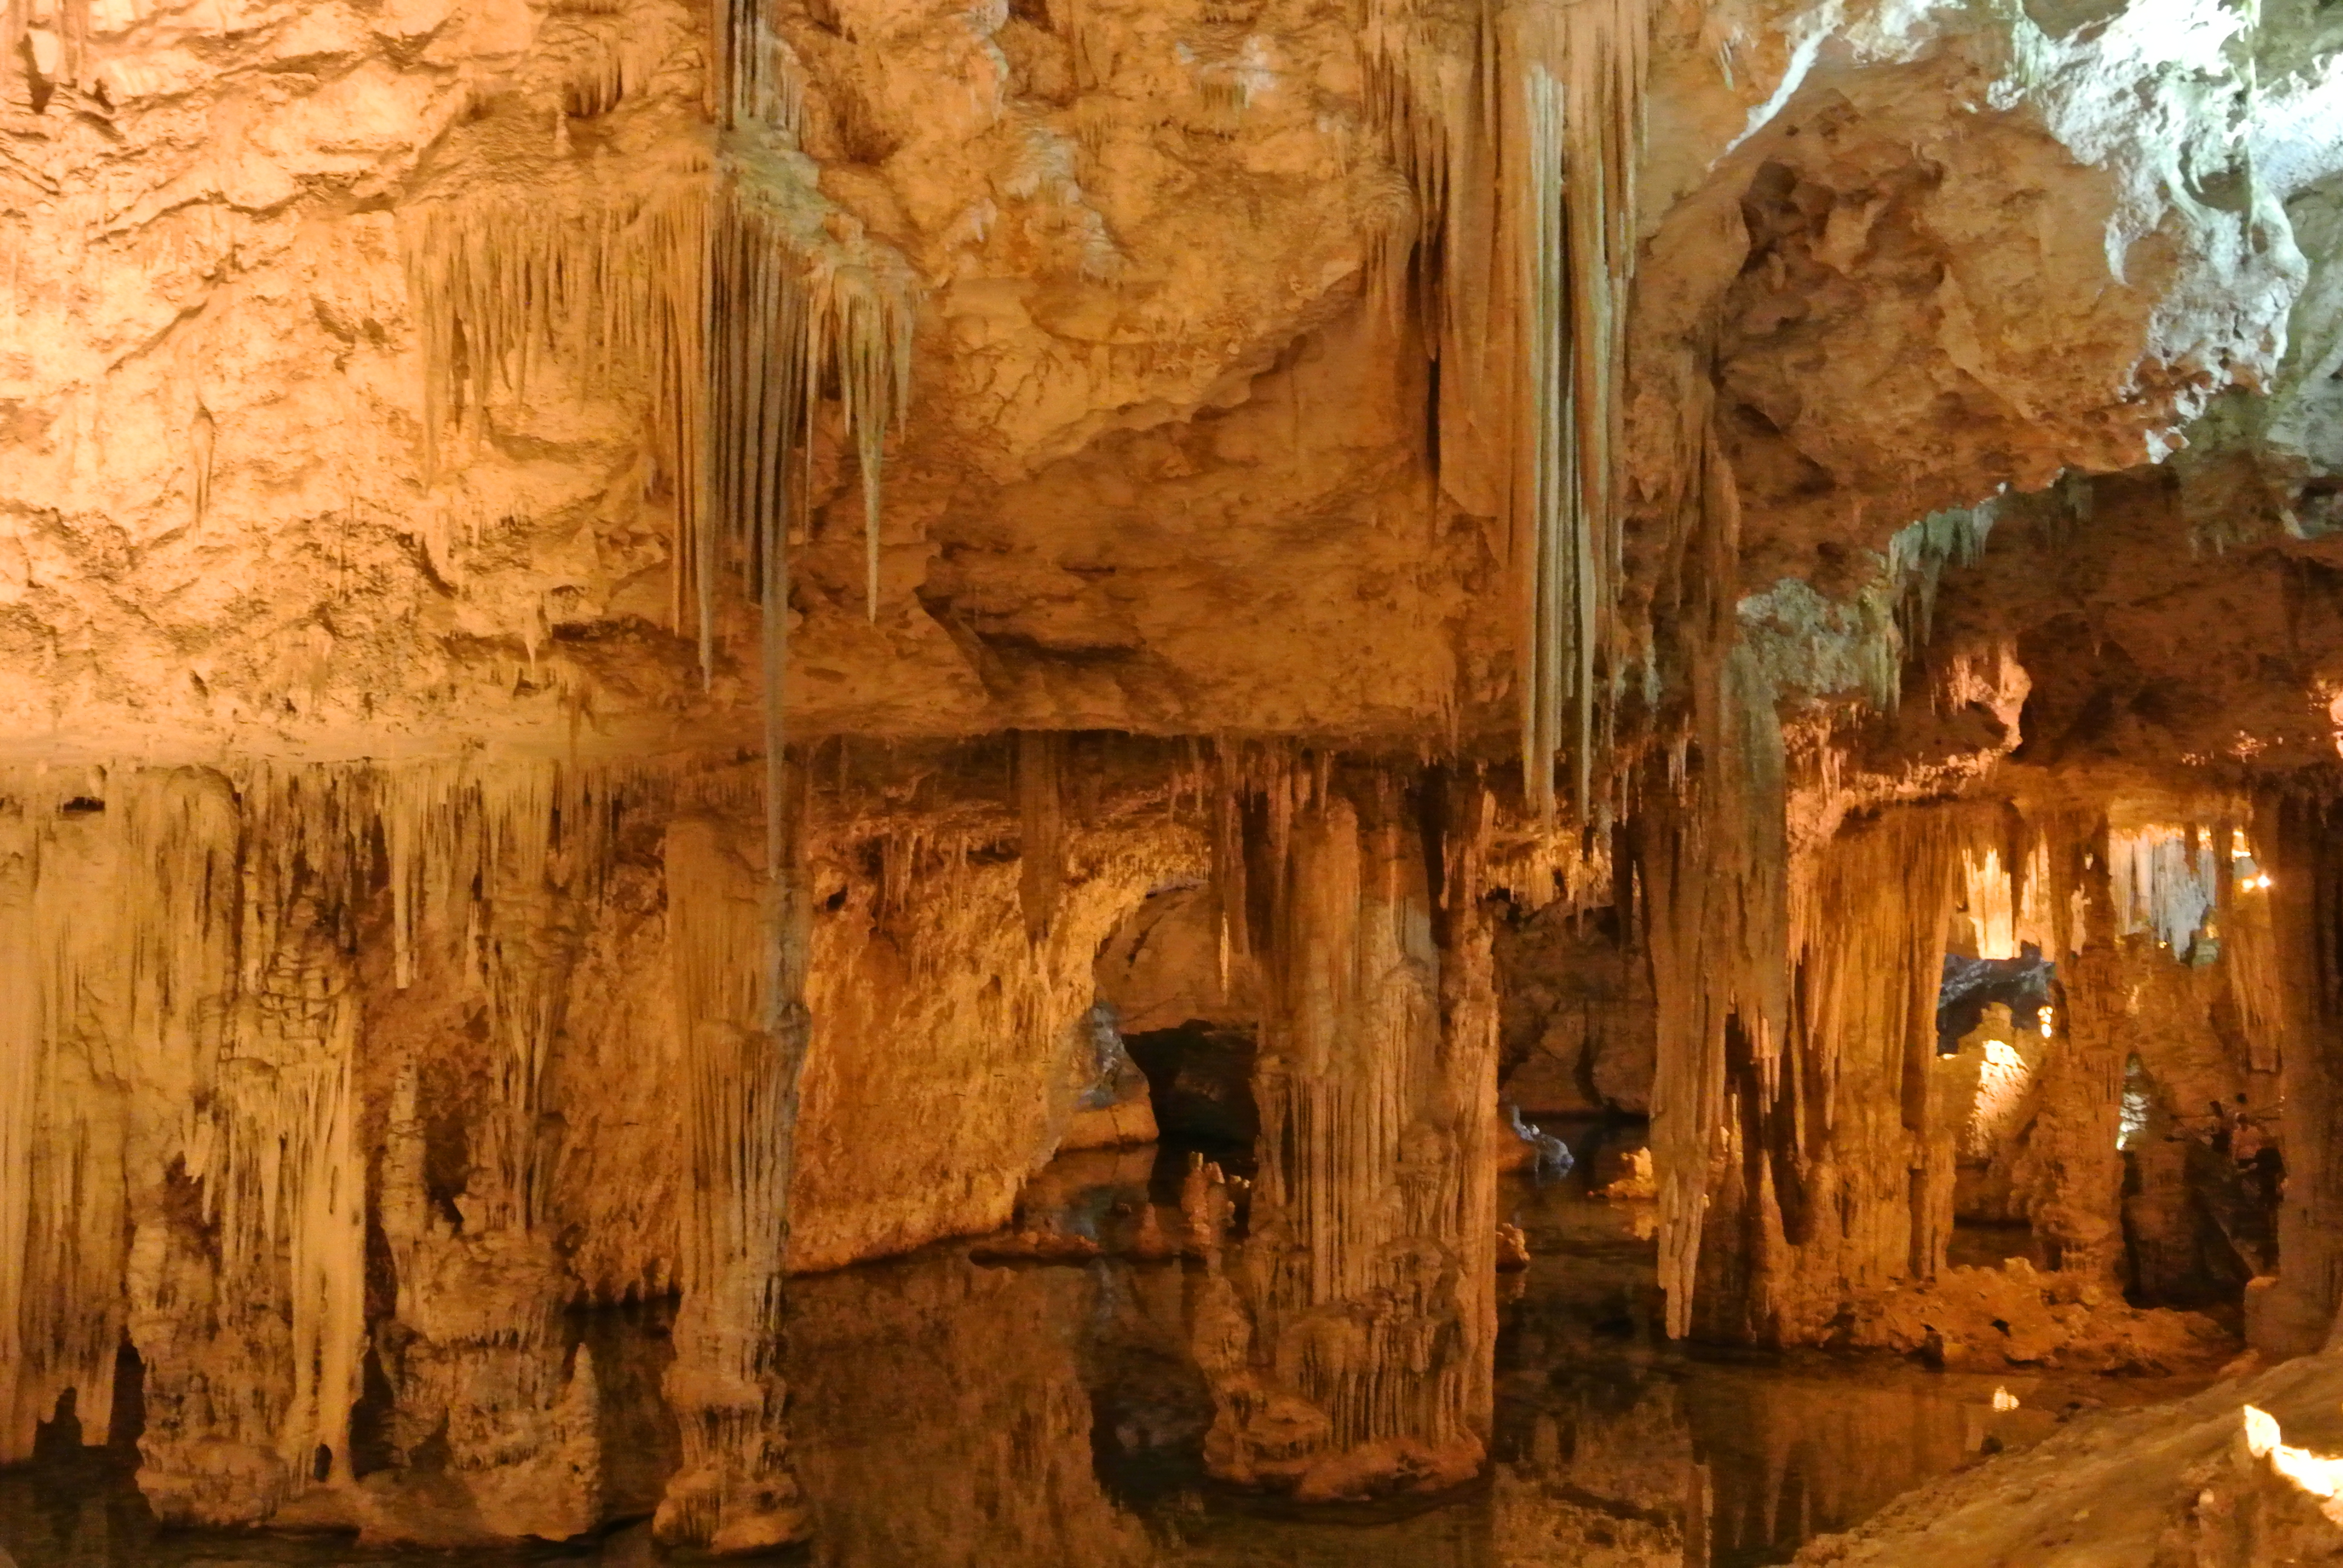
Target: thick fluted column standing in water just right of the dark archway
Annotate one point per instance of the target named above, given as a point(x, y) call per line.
point(1351, 1339)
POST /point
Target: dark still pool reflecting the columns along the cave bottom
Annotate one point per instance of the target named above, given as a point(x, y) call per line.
point(1023, 1414)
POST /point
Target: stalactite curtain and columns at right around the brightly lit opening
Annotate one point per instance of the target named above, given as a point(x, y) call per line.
point(1808, 1126)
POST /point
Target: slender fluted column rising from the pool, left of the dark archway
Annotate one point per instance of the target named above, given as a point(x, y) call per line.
point(742, 1061)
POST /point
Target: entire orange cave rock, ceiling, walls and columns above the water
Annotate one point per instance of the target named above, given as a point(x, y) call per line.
point(1133, 470)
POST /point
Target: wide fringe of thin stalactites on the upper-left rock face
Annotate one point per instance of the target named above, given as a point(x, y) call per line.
point(723, 301)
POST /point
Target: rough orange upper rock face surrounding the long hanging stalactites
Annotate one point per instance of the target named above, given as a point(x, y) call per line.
point(1149, 409)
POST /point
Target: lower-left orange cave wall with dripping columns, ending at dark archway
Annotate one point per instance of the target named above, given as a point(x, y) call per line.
point(334, 1086)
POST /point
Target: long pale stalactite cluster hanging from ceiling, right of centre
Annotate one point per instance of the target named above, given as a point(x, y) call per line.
point(1519, 132)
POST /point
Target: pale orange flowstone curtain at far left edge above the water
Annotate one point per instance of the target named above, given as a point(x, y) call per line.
point(116, 948)
